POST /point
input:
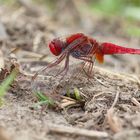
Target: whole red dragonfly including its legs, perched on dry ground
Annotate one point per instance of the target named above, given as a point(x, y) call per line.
point(83, 47)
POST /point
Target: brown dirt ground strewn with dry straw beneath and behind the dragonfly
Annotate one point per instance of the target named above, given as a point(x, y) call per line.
point(110, 108)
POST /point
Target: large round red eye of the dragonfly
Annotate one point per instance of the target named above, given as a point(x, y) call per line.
point(56, 46)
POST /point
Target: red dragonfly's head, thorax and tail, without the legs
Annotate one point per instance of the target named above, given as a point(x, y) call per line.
point(80, 45)
